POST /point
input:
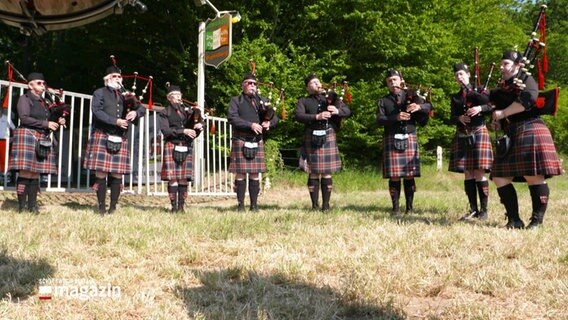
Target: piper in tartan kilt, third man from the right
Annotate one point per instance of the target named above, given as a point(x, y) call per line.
point(399, 113)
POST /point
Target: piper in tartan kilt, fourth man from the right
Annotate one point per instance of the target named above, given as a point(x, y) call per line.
point(319, 153)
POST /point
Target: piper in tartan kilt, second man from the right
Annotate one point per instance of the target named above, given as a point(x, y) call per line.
point(472, 152)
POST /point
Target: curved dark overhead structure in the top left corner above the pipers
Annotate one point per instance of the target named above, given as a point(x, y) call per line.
point(37, 17)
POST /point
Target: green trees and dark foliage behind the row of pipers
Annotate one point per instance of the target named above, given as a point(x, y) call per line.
point(356, 40)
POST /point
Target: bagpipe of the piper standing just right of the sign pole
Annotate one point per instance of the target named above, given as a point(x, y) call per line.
point(266, 109)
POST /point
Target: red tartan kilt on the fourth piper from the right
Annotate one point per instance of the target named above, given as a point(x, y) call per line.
point(324, 159)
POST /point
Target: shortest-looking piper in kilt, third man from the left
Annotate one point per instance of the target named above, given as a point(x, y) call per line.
point(177, 123)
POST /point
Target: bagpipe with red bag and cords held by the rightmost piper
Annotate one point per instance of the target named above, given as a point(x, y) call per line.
point(508, 92)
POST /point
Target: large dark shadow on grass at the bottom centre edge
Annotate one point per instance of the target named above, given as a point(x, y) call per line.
point(239, 294)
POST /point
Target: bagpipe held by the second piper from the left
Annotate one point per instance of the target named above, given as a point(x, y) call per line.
point(131, 101)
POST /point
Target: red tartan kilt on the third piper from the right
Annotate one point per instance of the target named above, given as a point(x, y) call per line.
point(401, 163)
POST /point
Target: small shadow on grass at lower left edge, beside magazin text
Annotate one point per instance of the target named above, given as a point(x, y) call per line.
point(19, 278)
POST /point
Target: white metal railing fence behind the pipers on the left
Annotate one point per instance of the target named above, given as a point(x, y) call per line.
point(211, 151)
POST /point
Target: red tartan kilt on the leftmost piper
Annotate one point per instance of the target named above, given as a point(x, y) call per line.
point(23, 155)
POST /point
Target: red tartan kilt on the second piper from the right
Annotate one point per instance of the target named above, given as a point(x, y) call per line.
point(480, 156)
